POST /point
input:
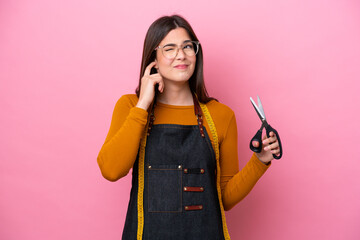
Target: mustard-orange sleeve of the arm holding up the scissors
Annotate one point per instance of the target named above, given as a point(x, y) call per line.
point(235, 184)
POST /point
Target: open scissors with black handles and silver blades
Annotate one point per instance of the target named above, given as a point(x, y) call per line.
point(260, 111)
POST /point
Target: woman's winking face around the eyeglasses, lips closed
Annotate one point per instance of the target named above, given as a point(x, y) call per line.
point(181, 67)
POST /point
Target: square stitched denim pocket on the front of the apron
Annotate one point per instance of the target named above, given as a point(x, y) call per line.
point(164, 188)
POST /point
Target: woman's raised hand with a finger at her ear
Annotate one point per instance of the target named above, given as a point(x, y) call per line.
point(147, 89)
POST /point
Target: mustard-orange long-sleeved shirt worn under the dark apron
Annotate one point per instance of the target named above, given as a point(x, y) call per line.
point(119, 152)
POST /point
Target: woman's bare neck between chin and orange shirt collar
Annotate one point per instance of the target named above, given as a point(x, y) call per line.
point(176, 94)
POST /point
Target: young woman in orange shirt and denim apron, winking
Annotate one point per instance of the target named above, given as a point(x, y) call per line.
point(180, 143)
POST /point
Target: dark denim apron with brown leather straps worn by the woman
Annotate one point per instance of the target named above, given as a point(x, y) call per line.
point(180, 200)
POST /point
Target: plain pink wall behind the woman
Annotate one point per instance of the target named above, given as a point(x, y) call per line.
point(64, 64)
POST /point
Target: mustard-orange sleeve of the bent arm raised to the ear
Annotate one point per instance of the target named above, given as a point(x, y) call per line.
point(118, 154)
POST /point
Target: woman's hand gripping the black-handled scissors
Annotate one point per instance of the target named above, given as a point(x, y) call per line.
point(270, 146)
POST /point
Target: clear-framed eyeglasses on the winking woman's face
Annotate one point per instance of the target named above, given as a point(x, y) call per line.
point(170, 51)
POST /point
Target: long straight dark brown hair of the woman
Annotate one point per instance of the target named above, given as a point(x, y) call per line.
point(155, 34)
